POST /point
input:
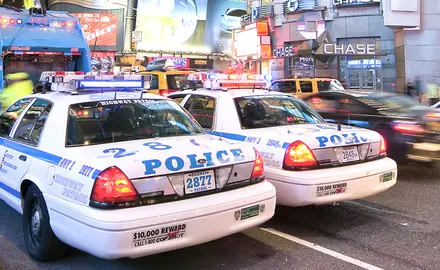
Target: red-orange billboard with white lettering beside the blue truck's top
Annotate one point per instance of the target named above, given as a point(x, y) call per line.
point(100, 28)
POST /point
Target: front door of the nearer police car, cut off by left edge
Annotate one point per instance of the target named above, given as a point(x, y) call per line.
point(9, 164)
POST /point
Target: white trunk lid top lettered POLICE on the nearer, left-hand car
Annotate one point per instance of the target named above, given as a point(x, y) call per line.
point(153, 157)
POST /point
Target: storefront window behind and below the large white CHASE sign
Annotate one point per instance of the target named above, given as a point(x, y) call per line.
point(361, 71)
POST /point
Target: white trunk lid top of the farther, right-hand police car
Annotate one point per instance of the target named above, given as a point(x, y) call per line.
point(317, 136)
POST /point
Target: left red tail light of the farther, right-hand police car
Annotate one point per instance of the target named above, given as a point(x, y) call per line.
point(299, 155)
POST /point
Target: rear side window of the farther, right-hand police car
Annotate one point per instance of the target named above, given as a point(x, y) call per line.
point(202, 109)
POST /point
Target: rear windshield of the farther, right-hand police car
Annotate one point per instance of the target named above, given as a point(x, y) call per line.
point(272, 111)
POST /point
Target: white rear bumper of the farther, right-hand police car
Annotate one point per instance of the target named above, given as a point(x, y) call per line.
point(327, 186)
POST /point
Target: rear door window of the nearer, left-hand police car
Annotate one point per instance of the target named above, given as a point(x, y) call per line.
point(31, 125)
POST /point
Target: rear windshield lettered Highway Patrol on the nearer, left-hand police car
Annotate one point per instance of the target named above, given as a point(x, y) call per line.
point(111, 121)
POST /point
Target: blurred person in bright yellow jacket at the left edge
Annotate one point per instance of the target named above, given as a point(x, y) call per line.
point(19, 85)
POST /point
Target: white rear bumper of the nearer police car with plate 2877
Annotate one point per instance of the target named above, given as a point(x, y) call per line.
point(147, 230)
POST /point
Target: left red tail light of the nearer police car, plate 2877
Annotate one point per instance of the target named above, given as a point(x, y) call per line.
point(112, 185)
